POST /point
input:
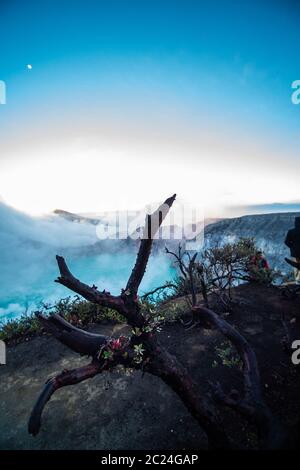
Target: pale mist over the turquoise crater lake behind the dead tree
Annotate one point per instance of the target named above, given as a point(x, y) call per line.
point(28, 246)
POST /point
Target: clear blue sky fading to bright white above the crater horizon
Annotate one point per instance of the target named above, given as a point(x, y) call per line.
point(195, 95)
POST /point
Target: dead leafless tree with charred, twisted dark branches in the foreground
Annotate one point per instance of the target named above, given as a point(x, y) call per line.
point(142, 350)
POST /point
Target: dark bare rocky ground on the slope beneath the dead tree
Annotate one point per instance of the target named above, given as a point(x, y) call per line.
point(115, 411)
